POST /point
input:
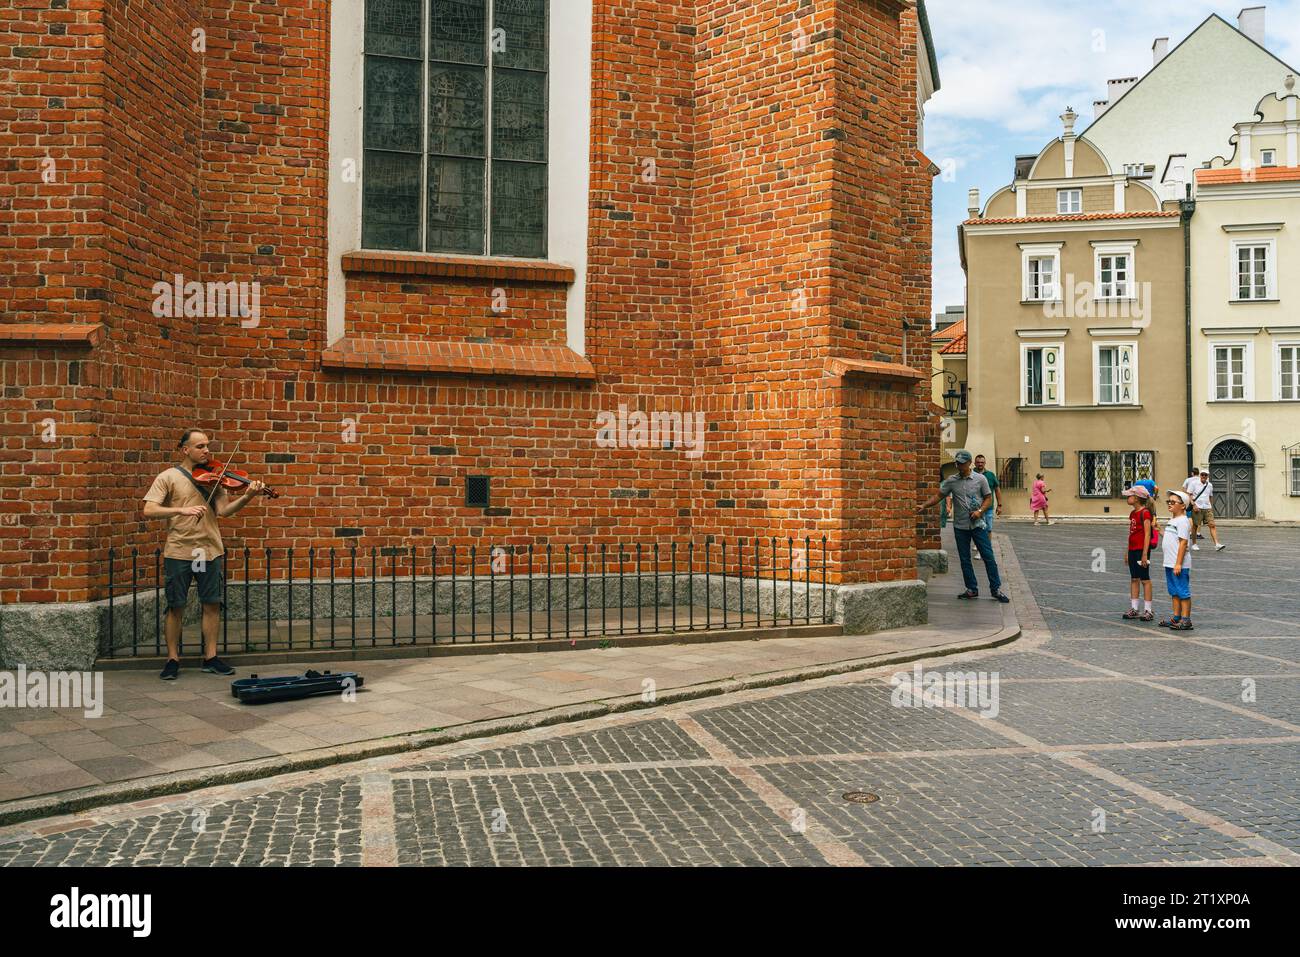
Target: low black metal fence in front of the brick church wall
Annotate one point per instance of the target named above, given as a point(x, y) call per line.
point(350, 599)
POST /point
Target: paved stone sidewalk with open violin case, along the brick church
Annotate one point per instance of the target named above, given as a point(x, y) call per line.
point(158, 738)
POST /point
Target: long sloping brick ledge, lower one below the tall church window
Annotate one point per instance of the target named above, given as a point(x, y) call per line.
point(458, 358)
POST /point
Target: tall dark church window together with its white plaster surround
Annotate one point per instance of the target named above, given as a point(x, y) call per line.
point(476, 168)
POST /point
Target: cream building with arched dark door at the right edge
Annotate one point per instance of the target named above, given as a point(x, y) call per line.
point(1246, 315)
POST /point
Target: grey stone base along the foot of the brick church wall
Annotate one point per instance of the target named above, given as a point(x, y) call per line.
point(71, 636)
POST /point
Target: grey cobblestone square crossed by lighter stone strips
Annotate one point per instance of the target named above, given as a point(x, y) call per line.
point(1106, 744)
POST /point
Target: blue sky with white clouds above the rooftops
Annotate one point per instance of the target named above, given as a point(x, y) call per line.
point(1009, 71)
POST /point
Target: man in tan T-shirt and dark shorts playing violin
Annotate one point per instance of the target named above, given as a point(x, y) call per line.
point(193, 548)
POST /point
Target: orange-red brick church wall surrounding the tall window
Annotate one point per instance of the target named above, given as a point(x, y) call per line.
point(775, 235)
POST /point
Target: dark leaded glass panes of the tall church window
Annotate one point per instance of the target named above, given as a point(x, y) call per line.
point(456, 127)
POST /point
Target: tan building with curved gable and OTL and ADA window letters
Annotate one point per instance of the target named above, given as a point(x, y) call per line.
point(1077, 331)
